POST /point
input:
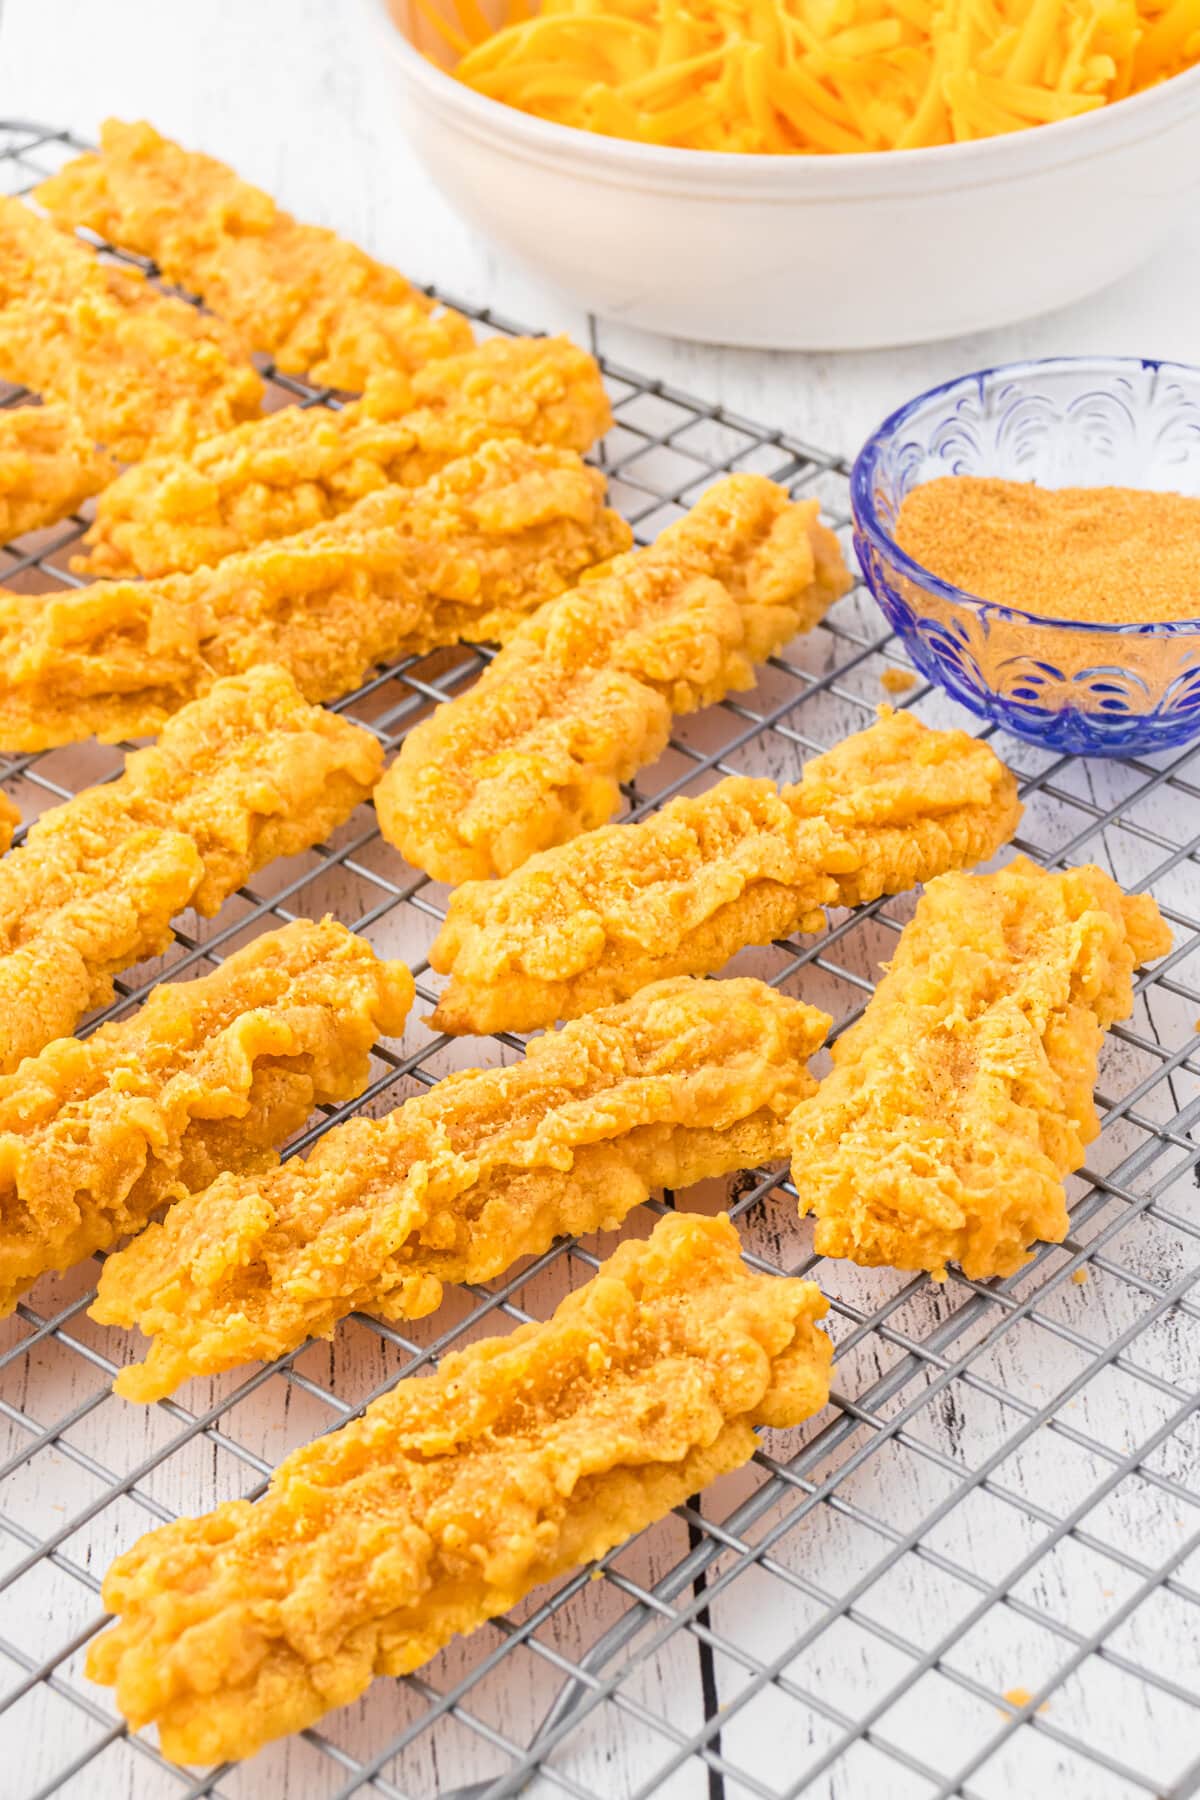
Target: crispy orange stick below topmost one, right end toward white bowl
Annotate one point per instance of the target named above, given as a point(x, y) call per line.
point(291, 471)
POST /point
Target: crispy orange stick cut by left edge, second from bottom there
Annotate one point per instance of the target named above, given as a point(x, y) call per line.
point(247, 775)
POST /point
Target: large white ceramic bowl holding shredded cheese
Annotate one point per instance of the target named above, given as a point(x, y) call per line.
point(805, 253)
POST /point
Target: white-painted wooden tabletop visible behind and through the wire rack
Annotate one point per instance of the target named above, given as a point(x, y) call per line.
point(289, 96)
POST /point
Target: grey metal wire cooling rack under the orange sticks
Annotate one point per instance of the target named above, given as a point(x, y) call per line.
point(976, 1574)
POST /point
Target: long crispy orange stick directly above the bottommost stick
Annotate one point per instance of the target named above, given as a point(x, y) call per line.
point(688, 1079)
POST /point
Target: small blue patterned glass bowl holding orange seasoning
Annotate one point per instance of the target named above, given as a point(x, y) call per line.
point(1095, 690)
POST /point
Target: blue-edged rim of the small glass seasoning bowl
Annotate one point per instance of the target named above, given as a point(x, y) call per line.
point(870, 526)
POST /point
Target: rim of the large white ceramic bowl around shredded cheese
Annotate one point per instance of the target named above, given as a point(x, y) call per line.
point(1075, 138)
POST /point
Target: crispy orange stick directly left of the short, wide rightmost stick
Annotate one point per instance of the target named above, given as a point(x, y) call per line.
point(694, 885)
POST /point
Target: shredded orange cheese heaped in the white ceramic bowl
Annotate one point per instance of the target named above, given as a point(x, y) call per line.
point(803, 76)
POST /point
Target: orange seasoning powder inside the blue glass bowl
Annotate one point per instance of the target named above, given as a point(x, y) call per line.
point(1113, 555)
